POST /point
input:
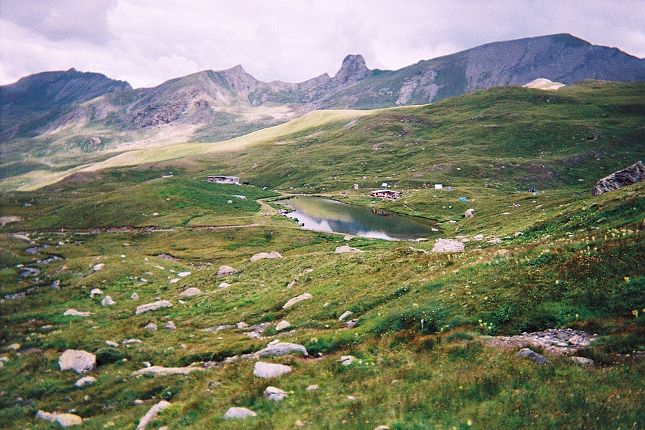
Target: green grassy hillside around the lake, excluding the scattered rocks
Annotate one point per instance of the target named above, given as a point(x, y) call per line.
point(563, 259)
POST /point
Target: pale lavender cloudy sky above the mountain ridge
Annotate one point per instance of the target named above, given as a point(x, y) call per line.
point(146, 42)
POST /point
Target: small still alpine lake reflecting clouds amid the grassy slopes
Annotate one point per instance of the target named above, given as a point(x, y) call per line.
point(326, 215)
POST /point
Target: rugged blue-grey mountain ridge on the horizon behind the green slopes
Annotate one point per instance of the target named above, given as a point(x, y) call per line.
point(215, 105)
